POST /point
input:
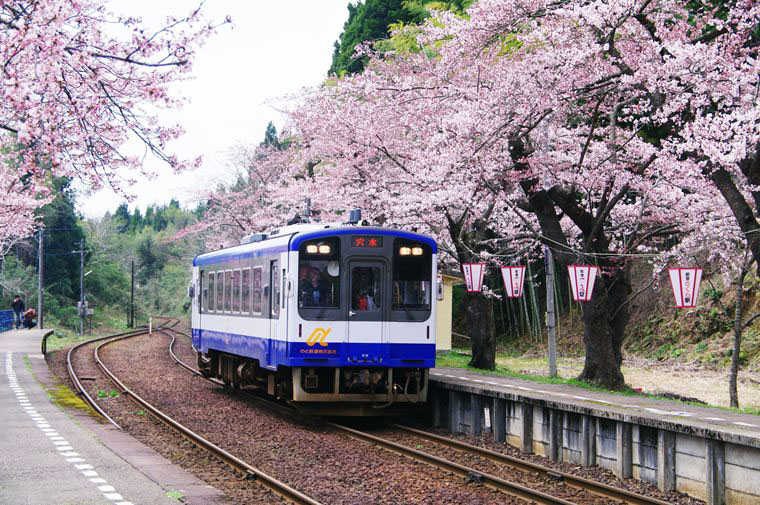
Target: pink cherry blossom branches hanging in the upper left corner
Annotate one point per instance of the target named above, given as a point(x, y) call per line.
point(78, 83)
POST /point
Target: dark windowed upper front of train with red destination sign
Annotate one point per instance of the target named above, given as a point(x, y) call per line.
point(380, 277)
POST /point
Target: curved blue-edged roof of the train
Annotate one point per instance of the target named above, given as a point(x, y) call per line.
point(290, 237)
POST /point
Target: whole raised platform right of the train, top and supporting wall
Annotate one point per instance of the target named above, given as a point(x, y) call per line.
point(709, 453)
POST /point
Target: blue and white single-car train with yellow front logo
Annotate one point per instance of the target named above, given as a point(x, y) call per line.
point(332, 318)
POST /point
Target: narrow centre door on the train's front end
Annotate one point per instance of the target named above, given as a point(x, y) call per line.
point(367, 306)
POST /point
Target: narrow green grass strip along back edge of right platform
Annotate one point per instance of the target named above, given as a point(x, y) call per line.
point(457, 359)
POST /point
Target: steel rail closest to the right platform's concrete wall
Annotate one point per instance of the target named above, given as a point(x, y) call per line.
point(590, 486)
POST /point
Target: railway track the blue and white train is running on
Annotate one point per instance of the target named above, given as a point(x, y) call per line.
point(531, 495)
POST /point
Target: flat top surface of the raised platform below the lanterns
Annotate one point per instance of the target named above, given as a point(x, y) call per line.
point(717, 423)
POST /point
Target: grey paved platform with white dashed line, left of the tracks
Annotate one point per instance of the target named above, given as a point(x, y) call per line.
point(52, 455)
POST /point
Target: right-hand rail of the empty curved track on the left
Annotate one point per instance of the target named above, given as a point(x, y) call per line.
point(276, 486)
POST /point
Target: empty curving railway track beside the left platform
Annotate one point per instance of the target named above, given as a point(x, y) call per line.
point(247, 470)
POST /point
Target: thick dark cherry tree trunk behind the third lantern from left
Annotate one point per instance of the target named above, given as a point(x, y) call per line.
point(603, 332)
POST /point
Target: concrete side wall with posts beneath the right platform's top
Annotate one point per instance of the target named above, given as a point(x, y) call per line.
point(703, 466)
